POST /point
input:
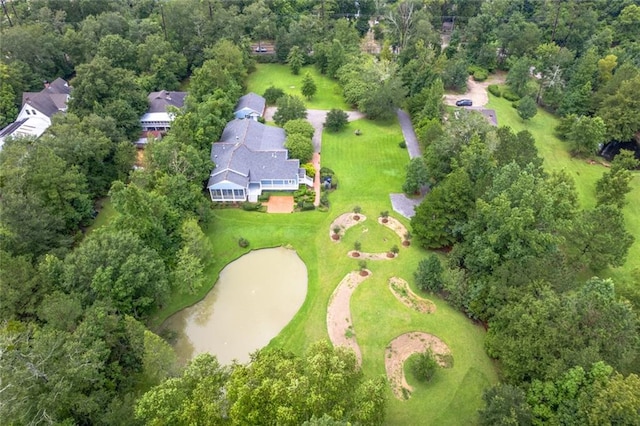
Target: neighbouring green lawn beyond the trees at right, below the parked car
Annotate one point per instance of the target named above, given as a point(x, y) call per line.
point(585, 175)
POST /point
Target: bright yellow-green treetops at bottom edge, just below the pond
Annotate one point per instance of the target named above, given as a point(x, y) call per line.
point(326, 380)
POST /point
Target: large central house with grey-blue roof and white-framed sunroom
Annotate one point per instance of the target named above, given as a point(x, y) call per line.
point(249, 159)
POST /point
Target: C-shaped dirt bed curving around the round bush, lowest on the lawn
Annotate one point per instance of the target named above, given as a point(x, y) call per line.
point(401, 348)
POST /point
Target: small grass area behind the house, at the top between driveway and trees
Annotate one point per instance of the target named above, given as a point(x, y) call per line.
point(328, 94)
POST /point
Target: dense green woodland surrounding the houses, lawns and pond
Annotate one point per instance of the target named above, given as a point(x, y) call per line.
point(521, 249)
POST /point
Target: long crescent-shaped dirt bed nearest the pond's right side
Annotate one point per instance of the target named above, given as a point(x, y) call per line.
point(339, 324)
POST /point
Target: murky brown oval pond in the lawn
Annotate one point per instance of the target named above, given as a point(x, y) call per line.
point(254, 298)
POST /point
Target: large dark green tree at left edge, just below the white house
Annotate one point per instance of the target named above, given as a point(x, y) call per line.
point(44, 199)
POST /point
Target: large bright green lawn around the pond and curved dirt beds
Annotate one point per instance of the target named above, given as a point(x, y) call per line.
point(368, 167)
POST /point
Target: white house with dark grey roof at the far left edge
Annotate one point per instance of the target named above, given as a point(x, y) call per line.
point(37, 110)
